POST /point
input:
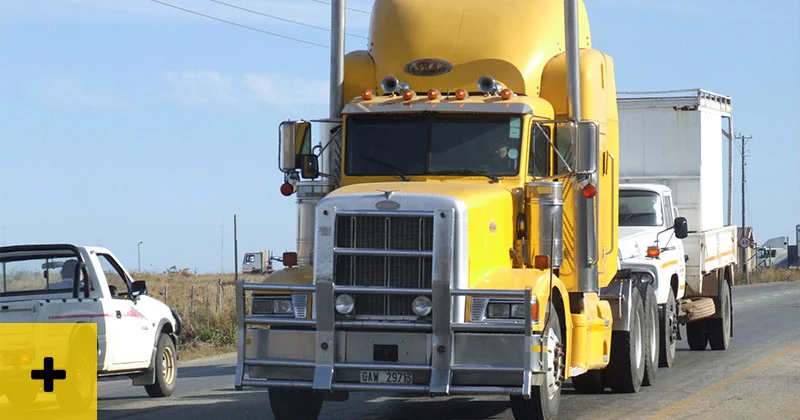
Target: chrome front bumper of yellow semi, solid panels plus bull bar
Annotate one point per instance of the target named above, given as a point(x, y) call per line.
point(444, 357)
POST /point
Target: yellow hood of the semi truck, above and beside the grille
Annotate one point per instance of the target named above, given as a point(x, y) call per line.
point(484, 215)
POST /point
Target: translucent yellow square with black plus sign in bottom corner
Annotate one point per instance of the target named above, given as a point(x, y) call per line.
point(48, 371)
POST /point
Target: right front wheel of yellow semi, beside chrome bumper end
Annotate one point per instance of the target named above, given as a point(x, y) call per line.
point(545, 400)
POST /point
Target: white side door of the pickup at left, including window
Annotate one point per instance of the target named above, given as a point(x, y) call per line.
point(132, 341)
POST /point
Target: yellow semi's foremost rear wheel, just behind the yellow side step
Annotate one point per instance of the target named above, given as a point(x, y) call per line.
point(626, 368)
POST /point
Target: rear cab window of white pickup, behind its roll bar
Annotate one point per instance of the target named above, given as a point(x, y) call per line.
point(37, 274)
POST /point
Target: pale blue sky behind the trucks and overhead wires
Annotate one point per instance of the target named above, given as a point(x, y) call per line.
point(129, 121)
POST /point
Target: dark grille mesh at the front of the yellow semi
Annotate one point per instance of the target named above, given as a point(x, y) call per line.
point(409, 233)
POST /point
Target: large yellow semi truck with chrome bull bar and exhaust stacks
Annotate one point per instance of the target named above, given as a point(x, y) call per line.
point(457, 221)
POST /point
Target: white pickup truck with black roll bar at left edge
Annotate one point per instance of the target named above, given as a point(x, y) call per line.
point(137, 335)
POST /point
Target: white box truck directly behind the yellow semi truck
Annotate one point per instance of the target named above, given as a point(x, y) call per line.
point(671, 149)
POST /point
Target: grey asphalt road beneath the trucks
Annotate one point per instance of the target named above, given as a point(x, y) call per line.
point(758, 377)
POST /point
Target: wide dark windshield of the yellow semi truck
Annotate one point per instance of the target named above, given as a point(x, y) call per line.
point(431, 144)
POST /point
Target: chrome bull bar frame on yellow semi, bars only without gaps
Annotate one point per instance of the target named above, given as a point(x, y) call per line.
point(441, 330)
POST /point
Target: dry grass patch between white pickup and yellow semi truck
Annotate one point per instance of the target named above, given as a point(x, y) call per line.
point(209, 317)
